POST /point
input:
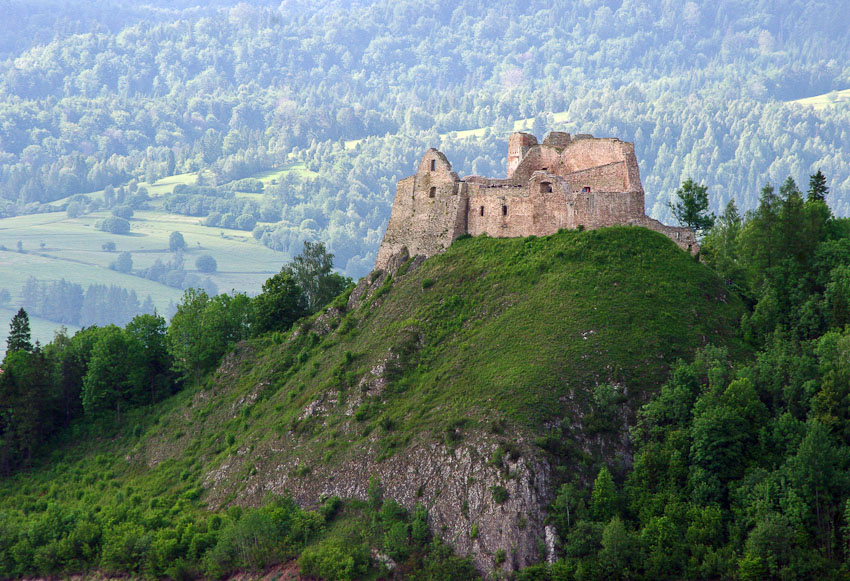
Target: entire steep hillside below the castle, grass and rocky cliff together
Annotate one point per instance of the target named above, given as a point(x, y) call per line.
point(471, 383)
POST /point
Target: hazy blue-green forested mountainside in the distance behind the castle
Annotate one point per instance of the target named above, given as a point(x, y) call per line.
point(703, 88)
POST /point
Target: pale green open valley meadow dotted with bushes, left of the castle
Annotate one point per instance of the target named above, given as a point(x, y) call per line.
point(54, 246)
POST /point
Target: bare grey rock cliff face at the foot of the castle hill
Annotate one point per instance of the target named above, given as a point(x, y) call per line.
point(455, 484)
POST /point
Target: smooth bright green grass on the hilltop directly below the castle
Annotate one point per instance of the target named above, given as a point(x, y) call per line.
point(514, 327)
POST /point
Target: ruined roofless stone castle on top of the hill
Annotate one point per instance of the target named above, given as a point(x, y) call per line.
point(577, 181)
